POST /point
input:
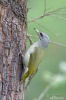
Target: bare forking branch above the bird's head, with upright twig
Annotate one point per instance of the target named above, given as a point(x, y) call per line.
point(53, 13)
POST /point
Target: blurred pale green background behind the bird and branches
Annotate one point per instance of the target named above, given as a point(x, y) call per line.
point(52, 69)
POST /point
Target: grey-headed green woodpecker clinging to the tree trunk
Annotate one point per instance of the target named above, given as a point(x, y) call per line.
point(34, 55)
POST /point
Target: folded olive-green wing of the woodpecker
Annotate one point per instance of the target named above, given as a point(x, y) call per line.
point(35, 59)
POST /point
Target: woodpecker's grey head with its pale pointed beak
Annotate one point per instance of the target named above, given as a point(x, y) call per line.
point(43, 39)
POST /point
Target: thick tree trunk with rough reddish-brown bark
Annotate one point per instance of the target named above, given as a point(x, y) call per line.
point(12, 41)
